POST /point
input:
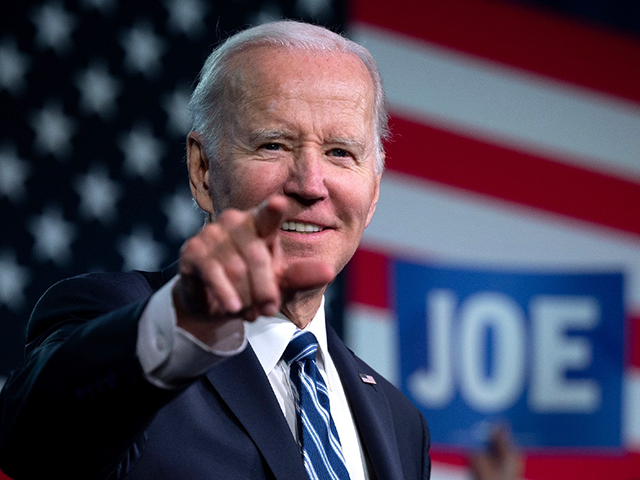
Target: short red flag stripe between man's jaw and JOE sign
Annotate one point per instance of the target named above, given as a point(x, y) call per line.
point(367, 276)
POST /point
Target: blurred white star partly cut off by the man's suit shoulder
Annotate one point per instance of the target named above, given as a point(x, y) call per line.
point(140, 251)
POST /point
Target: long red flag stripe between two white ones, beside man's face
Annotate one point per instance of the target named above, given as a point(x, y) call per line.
point(444, 157)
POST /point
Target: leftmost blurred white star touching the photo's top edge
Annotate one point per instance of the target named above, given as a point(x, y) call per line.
point(54, 26)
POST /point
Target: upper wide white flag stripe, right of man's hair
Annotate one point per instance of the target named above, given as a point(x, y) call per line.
point(504, 105)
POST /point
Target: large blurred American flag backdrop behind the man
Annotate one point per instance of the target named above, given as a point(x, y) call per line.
point(516, 146)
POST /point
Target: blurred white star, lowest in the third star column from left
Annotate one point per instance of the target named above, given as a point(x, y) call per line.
point(98, 194)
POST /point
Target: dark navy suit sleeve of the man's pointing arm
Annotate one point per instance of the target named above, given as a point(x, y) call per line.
point(80, 404)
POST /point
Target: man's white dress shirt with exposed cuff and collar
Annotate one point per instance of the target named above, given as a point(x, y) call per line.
point(171, 356)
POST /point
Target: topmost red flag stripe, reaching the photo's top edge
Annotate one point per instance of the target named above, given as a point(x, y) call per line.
point(519, 36)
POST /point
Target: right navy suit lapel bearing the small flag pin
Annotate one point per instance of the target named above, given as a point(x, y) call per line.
point(370, 410)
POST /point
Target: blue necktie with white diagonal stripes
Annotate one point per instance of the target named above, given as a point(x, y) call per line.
point(317, 434)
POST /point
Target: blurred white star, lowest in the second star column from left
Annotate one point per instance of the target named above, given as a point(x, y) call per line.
point(53, 236)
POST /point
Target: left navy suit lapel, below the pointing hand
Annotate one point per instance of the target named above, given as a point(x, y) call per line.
point(244, 387)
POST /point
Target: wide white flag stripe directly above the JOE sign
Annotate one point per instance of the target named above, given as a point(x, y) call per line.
point(442, 224)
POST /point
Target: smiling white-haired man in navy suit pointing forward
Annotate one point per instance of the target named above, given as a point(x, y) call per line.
point(158, 375)
